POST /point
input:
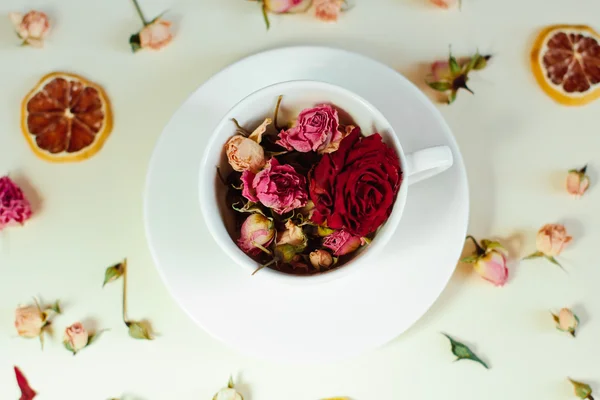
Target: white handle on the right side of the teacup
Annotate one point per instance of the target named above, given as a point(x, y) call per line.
point(424, 164)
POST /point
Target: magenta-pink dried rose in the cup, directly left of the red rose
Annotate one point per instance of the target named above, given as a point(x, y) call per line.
point(277, 186)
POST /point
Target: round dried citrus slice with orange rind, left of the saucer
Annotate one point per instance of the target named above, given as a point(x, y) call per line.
point(65, 118)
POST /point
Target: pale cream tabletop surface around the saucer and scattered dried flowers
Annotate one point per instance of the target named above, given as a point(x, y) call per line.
point(517, 146)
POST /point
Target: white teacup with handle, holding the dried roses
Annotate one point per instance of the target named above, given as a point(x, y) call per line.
point(297, 95)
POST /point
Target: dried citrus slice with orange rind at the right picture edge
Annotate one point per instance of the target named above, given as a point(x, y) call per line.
point(565, 60)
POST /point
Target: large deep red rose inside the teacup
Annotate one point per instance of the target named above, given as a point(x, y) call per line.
point(355, 187)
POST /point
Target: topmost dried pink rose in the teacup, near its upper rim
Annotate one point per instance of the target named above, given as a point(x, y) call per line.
point(315, 130)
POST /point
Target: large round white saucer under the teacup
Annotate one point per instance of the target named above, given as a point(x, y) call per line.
point(333, 320)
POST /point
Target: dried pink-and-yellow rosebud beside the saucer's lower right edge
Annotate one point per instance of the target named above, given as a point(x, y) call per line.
point(489, 261)
